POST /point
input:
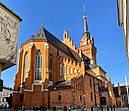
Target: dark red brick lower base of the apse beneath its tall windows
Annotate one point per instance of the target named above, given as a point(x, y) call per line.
point(35, 97)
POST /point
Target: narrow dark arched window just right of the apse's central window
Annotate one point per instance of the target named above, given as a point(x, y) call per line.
point(50, 67)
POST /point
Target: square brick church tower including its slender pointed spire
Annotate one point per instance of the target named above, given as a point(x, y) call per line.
point(87, 42)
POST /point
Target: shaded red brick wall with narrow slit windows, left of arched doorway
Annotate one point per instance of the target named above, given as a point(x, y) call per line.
point(93, 88)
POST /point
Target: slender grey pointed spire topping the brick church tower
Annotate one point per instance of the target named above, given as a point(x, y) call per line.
point(86, 32)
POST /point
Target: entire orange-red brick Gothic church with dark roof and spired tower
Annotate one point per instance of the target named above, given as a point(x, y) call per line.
point(53, 72)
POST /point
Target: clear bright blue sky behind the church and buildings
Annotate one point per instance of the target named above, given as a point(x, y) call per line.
point(59, 15)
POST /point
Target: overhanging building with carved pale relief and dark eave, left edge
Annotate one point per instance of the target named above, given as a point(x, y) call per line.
point(9, 30)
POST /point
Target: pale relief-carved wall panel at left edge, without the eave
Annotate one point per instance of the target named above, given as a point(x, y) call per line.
point(9, 28)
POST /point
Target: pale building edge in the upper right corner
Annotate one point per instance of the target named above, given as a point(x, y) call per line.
point(123, 20)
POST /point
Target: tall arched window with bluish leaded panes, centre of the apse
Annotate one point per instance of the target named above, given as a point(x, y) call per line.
point(38, 66)
